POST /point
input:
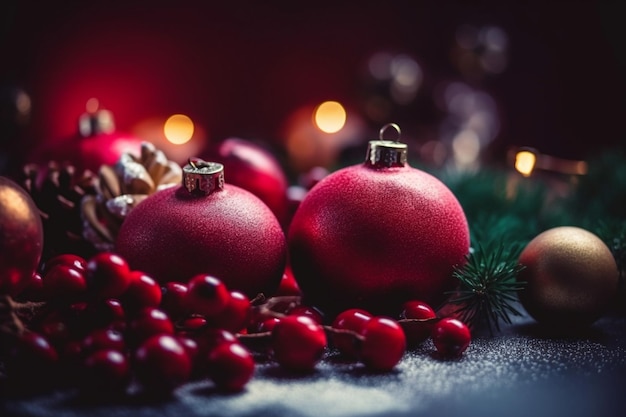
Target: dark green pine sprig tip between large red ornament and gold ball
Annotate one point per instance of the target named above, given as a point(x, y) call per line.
point(488, 287)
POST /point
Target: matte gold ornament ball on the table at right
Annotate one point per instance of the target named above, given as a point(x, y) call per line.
point(571, 277)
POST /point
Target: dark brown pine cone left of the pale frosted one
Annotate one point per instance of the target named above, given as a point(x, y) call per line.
point(58, 190)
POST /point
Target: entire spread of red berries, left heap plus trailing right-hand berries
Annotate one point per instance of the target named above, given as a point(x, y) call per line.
point(111, 329)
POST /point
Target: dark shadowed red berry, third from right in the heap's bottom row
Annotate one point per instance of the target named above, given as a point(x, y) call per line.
point(104, 372)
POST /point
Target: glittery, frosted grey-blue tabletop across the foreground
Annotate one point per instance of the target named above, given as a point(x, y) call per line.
point(520, 372)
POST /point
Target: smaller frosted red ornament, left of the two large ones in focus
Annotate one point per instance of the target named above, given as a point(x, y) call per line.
point(206, 227)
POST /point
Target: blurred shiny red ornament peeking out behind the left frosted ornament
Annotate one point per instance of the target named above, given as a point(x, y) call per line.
point(253, 168)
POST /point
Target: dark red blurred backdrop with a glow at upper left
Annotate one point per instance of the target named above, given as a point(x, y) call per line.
point(240, 68)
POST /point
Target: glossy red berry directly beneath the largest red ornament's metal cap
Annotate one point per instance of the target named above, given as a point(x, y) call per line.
point(383, 344)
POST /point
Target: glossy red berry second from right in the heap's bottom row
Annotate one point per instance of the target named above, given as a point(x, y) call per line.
point(162, 363)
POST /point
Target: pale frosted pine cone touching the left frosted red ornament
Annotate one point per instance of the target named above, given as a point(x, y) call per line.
point(121, 187)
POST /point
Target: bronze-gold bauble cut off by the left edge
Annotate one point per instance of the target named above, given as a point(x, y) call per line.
point(21, 237)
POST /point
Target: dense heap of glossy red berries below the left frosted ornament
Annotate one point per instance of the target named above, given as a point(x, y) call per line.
point(108, 328)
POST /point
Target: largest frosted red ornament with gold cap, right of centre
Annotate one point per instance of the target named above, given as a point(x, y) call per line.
point(375, 235)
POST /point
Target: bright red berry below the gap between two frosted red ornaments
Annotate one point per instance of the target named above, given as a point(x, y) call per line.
point(298, 343)
